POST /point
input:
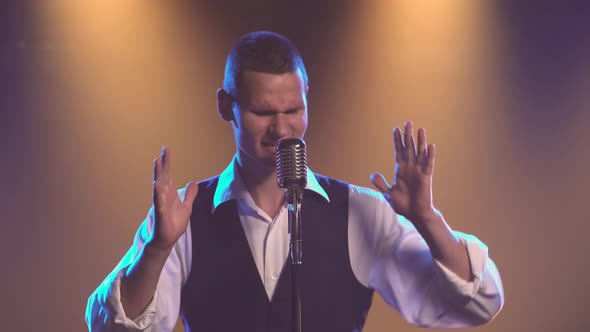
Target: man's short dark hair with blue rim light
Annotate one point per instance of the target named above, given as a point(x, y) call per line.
point(261, 51)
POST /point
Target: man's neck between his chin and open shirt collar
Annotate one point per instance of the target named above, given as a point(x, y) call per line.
point(261, 181)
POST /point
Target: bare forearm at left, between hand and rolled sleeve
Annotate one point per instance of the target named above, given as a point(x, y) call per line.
point(141, 279)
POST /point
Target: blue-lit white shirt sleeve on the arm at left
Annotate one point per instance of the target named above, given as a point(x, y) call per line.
point(104, 311)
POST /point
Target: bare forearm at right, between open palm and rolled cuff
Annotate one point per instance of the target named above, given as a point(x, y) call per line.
point(443, 245)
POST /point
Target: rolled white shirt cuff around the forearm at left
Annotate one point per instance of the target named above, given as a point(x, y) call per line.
point(116, 312)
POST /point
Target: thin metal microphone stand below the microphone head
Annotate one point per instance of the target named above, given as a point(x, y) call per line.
point(294, 198)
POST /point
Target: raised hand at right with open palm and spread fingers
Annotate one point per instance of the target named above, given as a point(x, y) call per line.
point(411, 192)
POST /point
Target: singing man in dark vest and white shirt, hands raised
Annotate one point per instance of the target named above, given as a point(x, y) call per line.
point(214, 251)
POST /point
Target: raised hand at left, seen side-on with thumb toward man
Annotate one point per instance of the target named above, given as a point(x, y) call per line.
point(171, 213)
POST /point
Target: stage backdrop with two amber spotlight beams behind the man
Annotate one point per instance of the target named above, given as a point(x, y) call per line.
point(90, 91)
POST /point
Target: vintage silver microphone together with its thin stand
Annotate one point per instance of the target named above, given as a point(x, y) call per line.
point(292, 176)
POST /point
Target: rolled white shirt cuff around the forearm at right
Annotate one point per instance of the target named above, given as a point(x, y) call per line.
point(457, 287)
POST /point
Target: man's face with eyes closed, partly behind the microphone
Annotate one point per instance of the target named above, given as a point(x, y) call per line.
point(271, 107)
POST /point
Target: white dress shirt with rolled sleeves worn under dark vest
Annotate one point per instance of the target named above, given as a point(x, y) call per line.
point(386, 252)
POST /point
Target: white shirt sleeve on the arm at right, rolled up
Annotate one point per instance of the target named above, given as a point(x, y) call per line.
point(390, 256)
